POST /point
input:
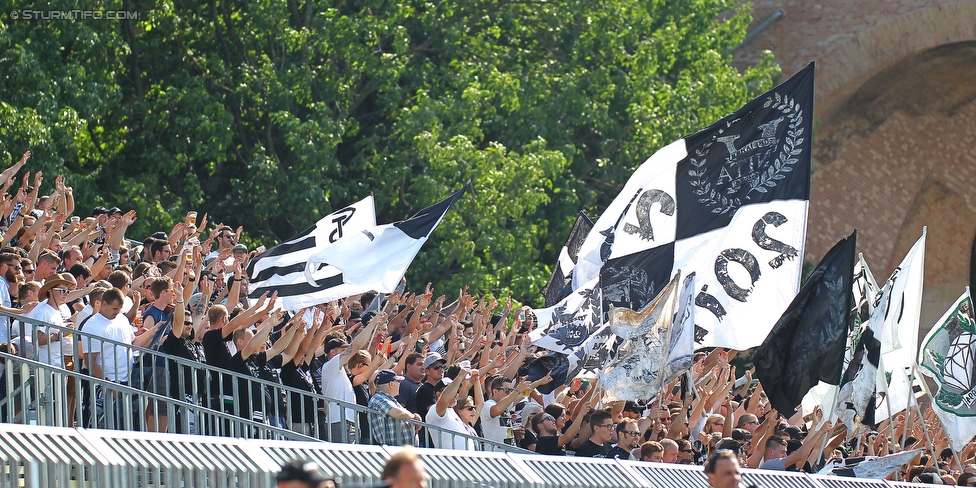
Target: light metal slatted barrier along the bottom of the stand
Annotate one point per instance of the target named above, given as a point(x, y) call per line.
point(57, 457)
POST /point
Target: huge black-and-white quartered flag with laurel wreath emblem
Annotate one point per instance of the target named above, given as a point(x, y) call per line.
point(728, 203)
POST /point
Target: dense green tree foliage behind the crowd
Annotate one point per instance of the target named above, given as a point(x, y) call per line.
point(270, 114)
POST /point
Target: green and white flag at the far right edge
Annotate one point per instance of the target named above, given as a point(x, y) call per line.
point(948, 356)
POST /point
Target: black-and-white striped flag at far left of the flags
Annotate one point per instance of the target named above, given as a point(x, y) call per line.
point(282, 268)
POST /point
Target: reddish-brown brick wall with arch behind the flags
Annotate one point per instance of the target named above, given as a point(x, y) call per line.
point(903, 169)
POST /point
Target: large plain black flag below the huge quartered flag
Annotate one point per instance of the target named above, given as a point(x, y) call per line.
point(807, 343)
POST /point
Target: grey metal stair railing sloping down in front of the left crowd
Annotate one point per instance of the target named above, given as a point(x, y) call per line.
point(215, 402)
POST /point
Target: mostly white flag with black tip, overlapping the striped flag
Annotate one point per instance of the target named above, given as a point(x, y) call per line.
point(375, 258)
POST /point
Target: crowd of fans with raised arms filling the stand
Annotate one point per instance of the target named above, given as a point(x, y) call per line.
point(454, 361)
